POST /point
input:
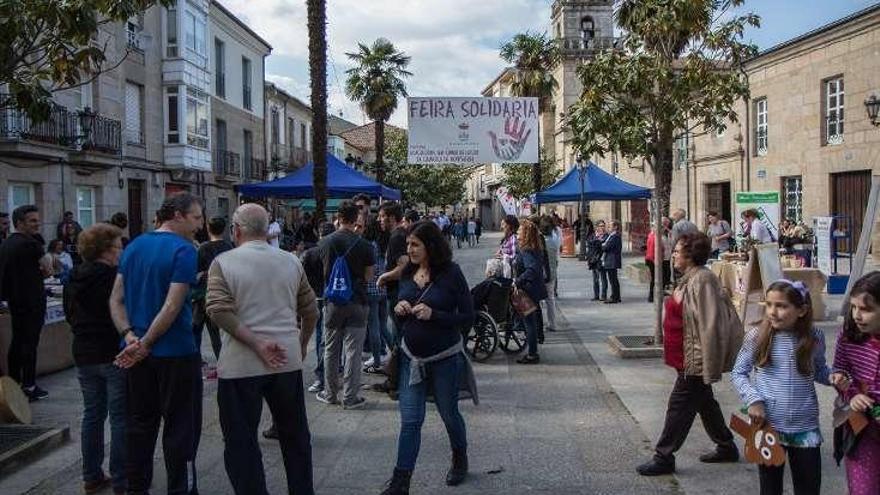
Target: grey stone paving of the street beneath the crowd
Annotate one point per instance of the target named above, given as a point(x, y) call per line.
point(557, 427)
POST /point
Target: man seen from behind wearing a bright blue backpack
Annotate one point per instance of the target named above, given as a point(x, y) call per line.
point(348, 264)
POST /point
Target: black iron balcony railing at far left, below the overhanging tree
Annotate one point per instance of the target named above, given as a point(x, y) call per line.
point(81, 137)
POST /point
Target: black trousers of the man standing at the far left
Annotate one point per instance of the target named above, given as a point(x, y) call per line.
point(22, 358)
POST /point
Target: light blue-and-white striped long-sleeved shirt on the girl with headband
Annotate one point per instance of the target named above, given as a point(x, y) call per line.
point(789, 398)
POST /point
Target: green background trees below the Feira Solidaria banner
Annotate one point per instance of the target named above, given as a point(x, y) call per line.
point(428, 185)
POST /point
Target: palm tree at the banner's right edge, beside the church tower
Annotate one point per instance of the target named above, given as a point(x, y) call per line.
point(533, 57)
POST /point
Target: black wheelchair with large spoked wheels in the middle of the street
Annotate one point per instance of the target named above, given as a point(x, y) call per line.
point(496, 324)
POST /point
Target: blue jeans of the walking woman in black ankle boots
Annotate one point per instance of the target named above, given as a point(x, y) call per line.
point(442, 380)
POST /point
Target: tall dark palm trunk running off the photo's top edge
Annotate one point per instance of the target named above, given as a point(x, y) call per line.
point(317, 24)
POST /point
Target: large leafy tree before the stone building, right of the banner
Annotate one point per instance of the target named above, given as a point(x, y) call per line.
point(680, 69)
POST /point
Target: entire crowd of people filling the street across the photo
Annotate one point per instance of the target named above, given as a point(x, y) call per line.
point(385, 283)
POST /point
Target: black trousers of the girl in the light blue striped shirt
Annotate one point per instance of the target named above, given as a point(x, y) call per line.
point(806, 472)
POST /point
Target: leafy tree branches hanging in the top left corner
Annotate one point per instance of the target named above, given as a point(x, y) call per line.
point(50, 45)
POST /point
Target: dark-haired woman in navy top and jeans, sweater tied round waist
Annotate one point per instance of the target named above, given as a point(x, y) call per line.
point(434, 304)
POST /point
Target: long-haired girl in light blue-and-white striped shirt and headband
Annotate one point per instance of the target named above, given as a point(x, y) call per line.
point(787, 354)
